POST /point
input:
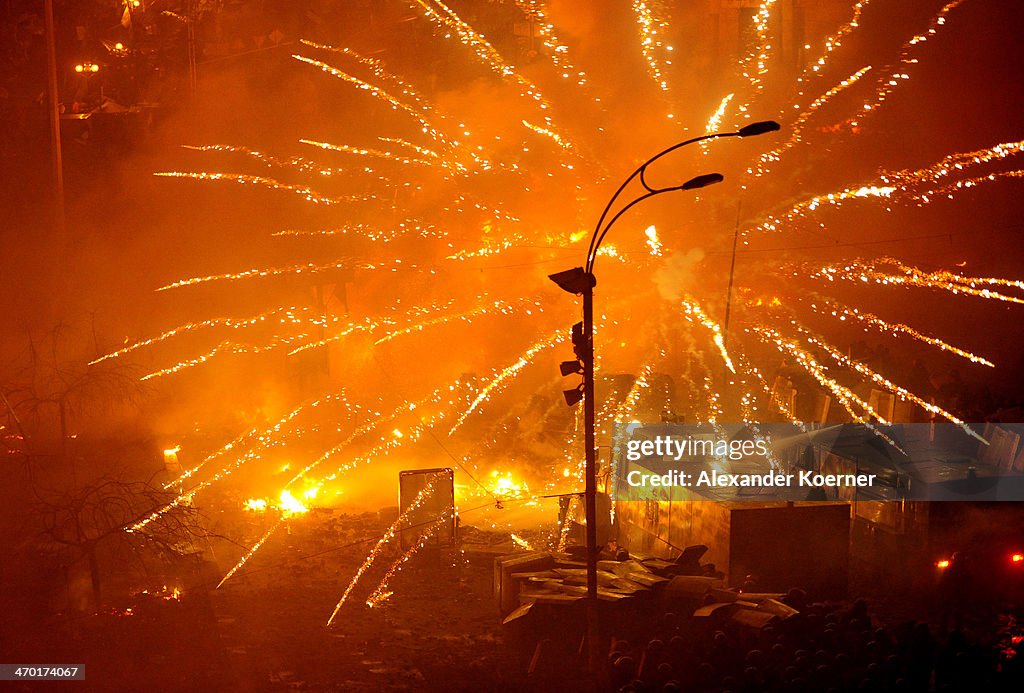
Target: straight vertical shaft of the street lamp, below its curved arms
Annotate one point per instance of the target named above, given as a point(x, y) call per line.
point(590, 494)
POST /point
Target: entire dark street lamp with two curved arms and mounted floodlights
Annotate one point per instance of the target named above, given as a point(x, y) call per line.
point(582, 281)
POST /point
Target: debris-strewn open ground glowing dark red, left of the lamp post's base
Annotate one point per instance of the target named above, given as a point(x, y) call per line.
point(266, 629)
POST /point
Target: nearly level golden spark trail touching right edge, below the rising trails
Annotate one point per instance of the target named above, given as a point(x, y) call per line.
point(905, 276)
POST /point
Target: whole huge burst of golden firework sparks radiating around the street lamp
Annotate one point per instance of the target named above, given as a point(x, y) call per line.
point(445, 151)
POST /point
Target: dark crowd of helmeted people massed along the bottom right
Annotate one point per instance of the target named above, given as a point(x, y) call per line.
point(823, 648)
